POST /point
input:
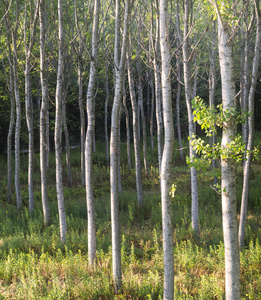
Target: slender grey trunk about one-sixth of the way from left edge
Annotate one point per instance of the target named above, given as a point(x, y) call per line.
point(43, 118)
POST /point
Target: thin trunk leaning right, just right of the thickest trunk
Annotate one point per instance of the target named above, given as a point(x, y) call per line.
point(250, 144)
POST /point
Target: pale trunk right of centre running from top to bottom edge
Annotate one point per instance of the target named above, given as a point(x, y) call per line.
point(167, 155)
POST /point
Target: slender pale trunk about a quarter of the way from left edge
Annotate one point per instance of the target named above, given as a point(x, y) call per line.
point(58, 129)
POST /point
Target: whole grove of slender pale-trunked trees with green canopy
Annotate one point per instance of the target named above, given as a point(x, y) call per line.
point(74, 72)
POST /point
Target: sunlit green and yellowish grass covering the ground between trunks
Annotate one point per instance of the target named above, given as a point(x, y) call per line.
point(35, 265)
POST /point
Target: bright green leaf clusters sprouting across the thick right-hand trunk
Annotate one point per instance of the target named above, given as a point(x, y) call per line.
point(209, 119)
